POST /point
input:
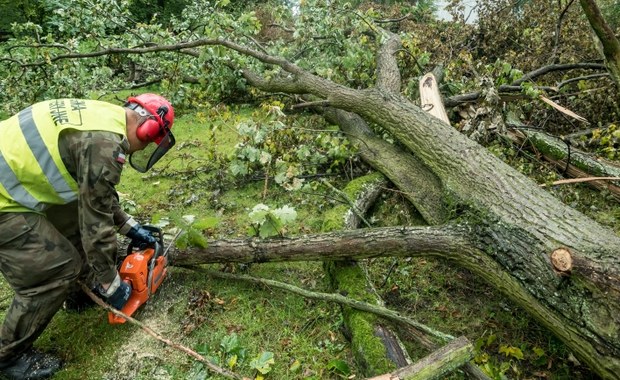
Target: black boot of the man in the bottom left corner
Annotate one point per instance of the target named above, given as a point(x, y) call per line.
point(30, 365)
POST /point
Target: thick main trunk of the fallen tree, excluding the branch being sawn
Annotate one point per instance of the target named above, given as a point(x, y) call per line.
point(510, 218)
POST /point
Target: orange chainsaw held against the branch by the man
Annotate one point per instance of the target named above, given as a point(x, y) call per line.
point(144, 268)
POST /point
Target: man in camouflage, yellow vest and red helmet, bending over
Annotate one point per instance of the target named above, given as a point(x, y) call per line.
point(60, 161)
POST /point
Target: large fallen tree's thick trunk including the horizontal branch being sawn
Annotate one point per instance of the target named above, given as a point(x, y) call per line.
point(503, 226)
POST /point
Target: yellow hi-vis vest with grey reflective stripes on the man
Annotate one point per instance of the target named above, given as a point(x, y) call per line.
point(32, 174)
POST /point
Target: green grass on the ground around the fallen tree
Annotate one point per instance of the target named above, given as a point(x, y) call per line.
point(224, 320)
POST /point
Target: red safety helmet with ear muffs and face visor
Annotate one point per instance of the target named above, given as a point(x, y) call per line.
point(156, 128)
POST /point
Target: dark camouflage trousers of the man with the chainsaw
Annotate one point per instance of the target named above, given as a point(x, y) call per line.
point(40, 261)
